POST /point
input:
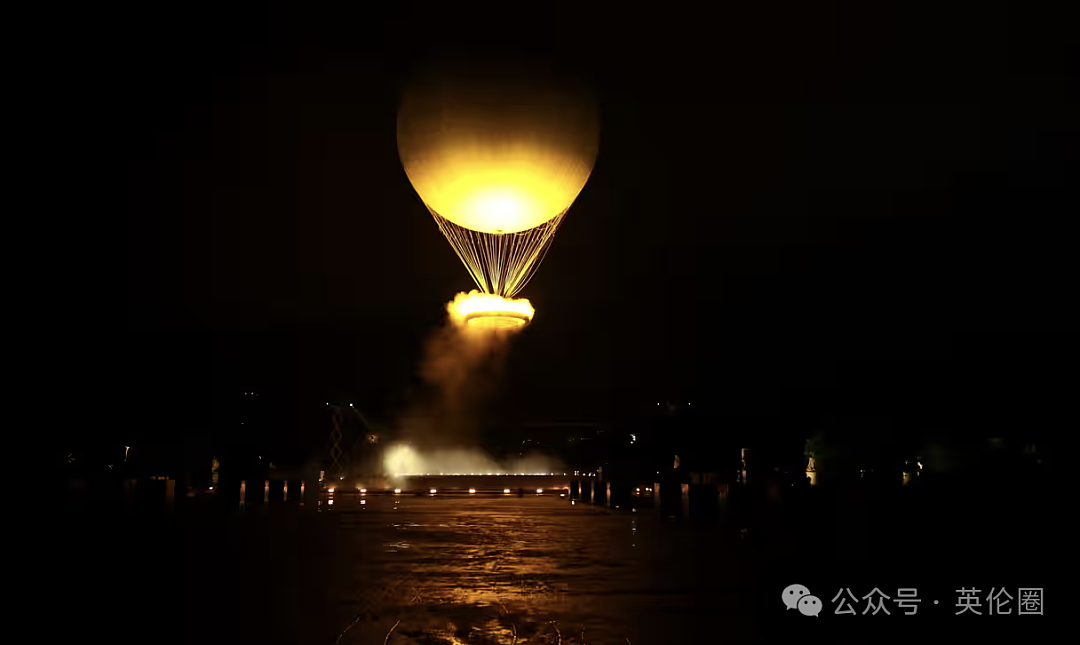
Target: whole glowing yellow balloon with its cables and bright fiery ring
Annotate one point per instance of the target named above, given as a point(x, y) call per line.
point(498, 158)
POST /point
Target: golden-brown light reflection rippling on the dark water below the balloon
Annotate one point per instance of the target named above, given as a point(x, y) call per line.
point(472, 572)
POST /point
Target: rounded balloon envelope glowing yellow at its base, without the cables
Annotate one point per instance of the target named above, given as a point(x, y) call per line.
point(497, 154)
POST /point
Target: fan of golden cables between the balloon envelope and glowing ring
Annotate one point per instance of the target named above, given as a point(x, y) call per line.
point(501, 264)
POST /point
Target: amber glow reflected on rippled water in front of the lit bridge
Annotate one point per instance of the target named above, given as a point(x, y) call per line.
point(496, 576)
